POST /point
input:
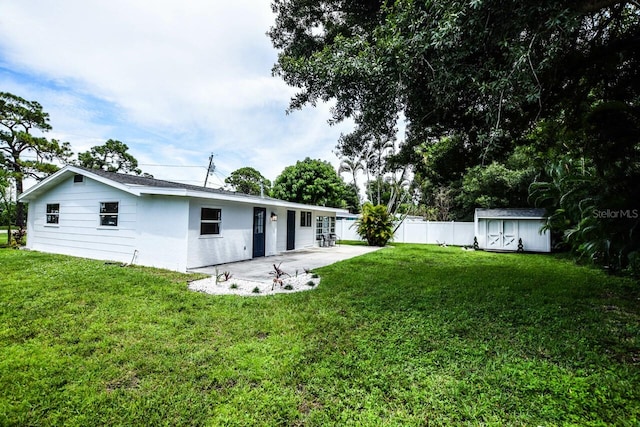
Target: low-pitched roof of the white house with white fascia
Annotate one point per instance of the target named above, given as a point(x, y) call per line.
point(140, 185)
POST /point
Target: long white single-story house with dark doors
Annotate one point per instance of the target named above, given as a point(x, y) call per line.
point(128, 218)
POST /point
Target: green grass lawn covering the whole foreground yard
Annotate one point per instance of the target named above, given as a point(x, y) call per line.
point(409, 335)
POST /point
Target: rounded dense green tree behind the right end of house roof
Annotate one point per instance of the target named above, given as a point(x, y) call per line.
point(312, 182)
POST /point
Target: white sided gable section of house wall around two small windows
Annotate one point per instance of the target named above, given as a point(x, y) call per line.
point(78, 232)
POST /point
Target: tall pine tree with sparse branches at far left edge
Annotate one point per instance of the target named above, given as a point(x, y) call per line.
point(22, 153)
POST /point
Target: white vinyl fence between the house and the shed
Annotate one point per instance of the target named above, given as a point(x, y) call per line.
point(418, 231)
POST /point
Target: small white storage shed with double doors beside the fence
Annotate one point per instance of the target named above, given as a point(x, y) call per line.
point(512, 230)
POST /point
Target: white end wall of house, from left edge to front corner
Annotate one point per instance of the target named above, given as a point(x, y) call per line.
point(151, 230)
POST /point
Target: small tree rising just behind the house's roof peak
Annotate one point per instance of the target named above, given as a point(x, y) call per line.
point(112, 156)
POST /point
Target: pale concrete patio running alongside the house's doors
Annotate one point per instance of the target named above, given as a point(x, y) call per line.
point(258, 268)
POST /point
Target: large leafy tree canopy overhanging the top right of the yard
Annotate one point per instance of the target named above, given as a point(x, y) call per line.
point(486, 69)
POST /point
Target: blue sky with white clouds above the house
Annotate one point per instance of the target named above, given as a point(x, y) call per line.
point(175, 81)
